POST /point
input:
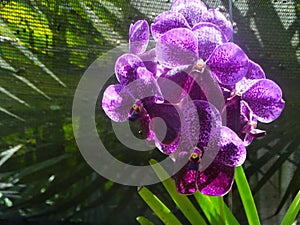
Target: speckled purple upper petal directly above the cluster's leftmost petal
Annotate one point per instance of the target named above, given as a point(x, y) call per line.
point(126, 68)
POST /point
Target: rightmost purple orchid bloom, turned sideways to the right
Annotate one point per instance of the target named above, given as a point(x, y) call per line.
point(254, 99)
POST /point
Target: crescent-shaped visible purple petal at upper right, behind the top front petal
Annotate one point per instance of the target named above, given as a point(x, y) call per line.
point(216, 17)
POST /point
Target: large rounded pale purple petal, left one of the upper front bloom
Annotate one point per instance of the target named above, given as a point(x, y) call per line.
point(177, 47)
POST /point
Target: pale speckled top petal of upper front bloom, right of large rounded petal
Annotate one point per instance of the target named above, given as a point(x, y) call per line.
point(209, 37)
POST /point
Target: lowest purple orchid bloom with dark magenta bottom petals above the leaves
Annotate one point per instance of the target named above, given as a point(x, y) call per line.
point(209, 166)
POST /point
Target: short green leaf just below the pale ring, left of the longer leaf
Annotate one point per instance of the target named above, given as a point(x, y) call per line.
point(159, 208)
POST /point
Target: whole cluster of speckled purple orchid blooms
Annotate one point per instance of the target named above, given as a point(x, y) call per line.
point(208, 93)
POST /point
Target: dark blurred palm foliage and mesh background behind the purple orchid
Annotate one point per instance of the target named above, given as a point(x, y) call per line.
point(45, 47)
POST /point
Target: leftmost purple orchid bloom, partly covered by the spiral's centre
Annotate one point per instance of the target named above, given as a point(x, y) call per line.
point(138, 98)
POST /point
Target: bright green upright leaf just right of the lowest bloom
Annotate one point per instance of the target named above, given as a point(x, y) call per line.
point(246, 196)
